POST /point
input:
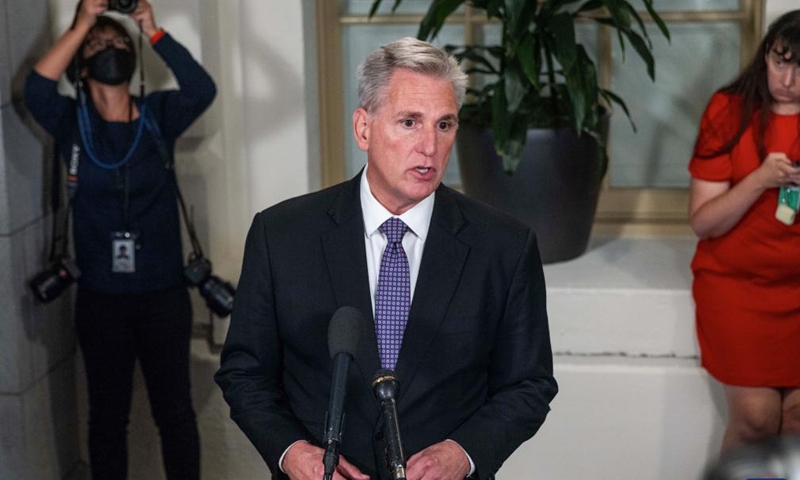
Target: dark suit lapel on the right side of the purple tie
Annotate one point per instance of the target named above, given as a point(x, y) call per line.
point(442, 263)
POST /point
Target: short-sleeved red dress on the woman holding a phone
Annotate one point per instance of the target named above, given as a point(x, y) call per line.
point(747, 282)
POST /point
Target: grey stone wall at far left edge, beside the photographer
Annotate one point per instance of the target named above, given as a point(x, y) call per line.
point(38, 439)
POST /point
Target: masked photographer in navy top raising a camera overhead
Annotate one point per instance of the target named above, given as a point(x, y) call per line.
point(134, 306)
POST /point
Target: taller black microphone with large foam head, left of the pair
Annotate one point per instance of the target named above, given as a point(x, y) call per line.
point(344, 335)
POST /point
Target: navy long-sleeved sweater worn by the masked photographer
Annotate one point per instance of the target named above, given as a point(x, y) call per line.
point(97, 208)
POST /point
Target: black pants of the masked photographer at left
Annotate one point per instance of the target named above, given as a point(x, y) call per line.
point(114, 331)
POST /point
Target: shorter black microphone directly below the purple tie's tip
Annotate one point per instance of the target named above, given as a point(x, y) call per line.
point(385, 387)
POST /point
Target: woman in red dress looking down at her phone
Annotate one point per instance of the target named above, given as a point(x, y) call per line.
point(747, 265)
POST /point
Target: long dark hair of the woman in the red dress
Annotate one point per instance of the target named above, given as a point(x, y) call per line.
point(752, 99)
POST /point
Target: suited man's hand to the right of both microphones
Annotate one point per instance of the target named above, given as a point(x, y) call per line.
point(441, 461)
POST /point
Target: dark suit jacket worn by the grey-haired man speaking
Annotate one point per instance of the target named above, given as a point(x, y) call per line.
point(475, 365)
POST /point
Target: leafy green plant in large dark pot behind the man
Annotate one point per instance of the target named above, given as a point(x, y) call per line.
point(537, 95)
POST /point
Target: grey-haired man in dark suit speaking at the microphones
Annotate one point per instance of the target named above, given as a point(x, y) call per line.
point(475, 363)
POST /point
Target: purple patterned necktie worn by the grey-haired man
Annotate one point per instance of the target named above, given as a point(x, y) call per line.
point(393, 295)
